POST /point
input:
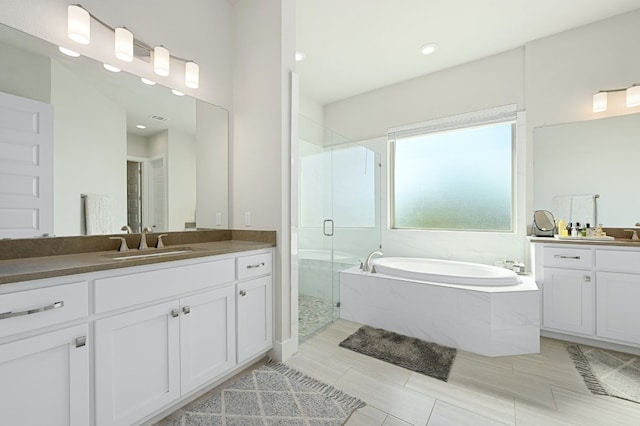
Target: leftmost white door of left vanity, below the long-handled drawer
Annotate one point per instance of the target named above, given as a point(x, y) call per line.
point(45, 379)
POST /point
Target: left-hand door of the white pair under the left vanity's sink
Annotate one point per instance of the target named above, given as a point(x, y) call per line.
point(137, 363)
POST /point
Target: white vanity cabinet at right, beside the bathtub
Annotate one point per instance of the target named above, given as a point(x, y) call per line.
point(590, 291)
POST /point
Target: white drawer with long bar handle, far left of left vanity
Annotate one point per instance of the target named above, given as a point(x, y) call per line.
point(32, 309)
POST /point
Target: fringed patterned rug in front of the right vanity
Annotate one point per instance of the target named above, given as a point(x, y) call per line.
point(608, 372)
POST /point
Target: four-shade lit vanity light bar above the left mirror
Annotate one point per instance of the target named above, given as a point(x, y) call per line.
point(127, 47)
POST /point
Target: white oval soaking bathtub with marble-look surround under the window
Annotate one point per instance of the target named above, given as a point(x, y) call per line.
point(478, 308)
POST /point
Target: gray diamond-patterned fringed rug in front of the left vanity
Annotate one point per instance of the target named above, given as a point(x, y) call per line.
point(274, 394)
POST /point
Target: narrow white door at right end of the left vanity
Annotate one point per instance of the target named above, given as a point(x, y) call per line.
point(254, 317)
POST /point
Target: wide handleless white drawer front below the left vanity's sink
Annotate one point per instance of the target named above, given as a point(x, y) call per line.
point(142, 287)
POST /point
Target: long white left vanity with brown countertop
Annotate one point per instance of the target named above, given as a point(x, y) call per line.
point(104, 343)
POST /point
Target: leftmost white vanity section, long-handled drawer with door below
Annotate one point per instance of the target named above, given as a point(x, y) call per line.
point(44, 360)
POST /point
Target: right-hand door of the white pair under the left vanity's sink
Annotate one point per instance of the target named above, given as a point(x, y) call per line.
point(207, 336)
